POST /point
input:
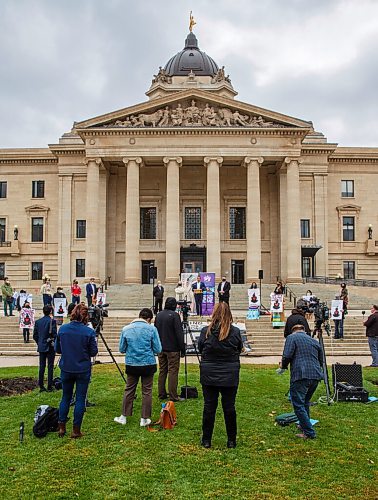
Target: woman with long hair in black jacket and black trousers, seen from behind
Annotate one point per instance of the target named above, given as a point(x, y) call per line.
point(220, 345)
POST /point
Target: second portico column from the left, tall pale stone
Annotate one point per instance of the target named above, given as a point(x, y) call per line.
point(132, 264)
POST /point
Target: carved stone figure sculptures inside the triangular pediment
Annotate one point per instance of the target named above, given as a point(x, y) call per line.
point(193, 115)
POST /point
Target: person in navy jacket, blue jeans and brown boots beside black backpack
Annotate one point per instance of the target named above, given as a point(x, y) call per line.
point(76, 343)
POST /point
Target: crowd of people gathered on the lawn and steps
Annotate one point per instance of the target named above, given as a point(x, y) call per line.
point(149, 344)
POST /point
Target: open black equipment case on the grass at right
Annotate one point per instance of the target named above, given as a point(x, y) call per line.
point(348, 383)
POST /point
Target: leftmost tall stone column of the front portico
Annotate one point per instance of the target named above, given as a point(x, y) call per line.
point(92, 235)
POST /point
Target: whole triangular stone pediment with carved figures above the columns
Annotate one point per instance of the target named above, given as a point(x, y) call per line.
point(193, 108)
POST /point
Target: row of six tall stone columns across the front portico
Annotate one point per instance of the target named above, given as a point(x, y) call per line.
point(289, 215)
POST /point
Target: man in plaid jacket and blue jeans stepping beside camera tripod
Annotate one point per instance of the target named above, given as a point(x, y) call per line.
point(305, 357)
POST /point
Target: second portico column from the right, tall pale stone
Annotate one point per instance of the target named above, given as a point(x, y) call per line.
point(253, 217)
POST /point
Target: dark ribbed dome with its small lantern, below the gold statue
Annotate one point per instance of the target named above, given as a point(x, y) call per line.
point(191, 58)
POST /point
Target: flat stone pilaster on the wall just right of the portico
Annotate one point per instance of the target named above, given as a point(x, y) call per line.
point(321, 223)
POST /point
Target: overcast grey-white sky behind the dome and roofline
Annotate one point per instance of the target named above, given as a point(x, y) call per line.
point(70, 60)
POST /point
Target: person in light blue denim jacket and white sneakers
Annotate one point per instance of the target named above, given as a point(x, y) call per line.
point(140, 342)
